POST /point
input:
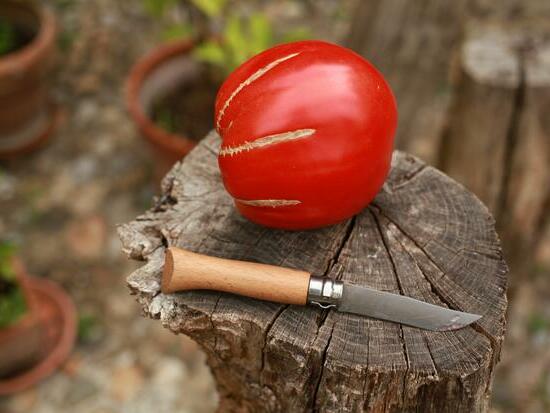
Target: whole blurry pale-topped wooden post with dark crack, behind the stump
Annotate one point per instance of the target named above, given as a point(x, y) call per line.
point(498, 142)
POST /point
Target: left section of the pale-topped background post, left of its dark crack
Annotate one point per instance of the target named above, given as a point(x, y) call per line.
point(483, 115)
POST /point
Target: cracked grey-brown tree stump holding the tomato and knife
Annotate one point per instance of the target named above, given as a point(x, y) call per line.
point(424, 236)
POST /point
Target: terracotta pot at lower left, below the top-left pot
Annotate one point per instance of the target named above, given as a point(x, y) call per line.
point(36, 345)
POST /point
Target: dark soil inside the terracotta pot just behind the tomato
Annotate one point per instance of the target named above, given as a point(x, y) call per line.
point(189, 109)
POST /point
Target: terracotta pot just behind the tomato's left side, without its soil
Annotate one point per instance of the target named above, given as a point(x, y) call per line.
point(152, 77)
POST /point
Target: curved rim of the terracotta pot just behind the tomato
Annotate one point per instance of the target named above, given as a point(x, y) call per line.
point(141, 70)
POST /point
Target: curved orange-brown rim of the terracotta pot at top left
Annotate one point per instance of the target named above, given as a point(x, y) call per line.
point(20, 60)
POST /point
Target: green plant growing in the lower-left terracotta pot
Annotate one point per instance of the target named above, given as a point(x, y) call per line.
point(12, 301)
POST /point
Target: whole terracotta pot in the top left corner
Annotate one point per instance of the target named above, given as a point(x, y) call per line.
point(27, 117)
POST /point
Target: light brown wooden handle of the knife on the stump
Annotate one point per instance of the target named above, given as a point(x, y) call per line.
point(185, 270)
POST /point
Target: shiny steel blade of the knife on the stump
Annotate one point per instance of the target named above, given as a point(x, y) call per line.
point(401, 309)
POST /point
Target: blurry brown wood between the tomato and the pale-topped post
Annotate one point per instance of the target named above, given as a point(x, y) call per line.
point(413, 44)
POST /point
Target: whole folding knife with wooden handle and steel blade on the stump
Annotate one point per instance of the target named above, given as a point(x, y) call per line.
point(185, 270)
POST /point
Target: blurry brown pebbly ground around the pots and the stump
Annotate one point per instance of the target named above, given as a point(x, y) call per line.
point(62, 204)
